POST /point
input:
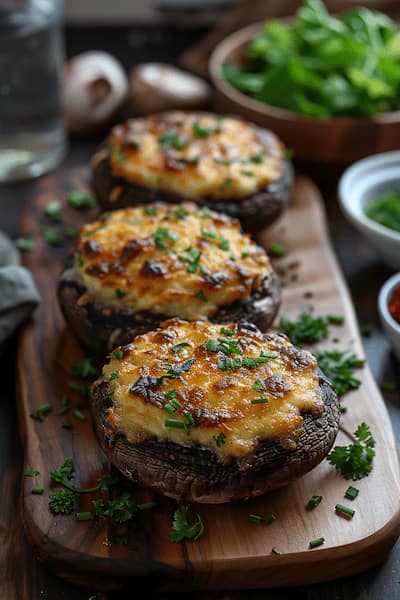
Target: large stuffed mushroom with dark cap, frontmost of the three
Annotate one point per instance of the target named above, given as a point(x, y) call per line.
point(213, 413)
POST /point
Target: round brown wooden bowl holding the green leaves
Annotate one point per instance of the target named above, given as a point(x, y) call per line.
point(339, 140)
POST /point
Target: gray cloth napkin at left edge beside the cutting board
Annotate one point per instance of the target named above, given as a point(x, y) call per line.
point(18, 293)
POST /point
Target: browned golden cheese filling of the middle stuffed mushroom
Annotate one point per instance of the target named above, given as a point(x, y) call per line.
point(168, 259)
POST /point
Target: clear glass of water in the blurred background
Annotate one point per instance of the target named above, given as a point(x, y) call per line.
point(32, 129)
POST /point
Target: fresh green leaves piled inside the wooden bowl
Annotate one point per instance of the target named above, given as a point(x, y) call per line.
point(322, 65)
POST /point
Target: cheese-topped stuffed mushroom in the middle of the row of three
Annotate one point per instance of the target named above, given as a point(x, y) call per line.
point(135, 267)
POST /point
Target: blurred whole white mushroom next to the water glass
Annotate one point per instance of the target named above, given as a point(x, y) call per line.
point(95, 88)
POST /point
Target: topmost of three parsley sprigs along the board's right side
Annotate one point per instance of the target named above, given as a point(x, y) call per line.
point(308, 329)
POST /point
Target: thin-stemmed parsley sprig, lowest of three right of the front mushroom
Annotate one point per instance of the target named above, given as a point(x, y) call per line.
point(355, 460)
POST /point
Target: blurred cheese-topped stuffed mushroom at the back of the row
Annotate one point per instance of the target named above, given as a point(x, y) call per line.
point(225, 163)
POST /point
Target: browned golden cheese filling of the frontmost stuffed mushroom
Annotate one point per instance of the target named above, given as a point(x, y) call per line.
point(224, 387)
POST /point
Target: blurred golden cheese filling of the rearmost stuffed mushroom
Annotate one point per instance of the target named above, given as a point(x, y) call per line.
point(198, 155)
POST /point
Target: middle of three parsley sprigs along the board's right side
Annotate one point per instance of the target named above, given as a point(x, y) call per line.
point(339, 368)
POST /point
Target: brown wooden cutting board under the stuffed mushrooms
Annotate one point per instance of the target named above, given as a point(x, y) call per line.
point(233, 553)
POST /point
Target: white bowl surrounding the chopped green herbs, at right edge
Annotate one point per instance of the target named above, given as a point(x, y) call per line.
point(362, 182)
